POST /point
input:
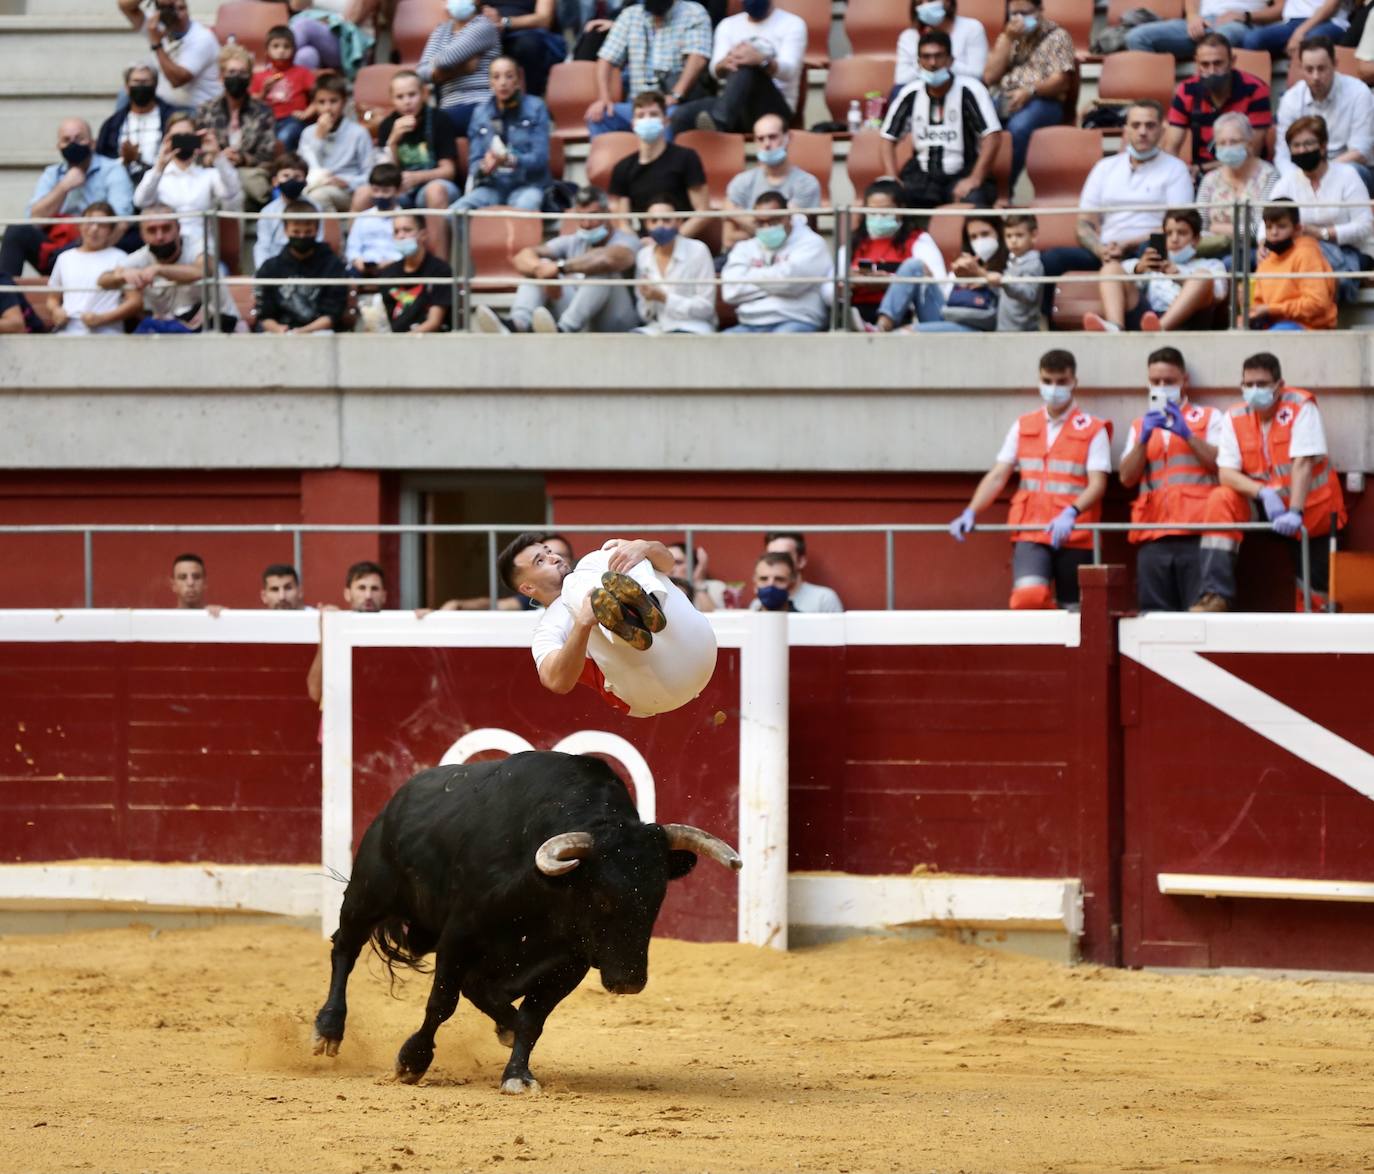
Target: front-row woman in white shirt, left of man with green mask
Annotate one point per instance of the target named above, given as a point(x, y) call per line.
point(675, 292)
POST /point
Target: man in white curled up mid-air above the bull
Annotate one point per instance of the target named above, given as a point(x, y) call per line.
point(616, 625)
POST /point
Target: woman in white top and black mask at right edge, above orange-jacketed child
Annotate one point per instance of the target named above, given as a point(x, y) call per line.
point(1320, 186)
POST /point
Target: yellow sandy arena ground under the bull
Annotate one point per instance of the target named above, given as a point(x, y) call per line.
point(190, 1051)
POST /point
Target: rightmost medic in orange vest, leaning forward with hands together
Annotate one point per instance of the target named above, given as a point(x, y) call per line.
point(1273, 458)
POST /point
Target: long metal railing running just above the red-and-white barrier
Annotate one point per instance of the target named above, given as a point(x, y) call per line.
point(688, 530)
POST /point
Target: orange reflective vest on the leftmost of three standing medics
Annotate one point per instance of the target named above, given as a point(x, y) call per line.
point(1053, 476)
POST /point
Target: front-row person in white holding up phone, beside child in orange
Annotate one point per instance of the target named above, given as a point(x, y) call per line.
point(1180, 291)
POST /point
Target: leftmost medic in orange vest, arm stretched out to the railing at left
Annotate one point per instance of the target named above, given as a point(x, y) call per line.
point(1064, 457)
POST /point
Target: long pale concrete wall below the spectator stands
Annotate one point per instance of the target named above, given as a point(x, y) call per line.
point(826, 403)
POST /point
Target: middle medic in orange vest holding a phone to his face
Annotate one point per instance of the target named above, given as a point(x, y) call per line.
point(1171, 456)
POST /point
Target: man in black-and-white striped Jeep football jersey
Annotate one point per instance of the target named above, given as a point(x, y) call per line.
point(954, 131)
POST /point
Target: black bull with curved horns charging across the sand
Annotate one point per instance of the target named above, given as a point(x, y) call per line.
point(519, 876)
